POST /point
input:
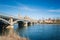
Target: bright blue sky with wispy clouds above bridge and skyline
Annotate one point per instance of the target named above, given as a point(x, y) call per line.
point(36, 9)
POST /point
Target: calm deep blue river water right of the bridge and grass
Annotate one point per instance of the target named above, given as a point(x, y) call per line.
point(39, 32)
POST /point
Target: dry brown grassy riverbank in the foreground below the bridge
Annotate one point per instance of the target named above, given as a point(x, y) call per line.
point(12, 36)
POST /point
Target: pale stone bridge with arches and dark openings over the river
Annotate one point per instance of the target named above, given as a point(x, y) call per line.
point(10, 21)
